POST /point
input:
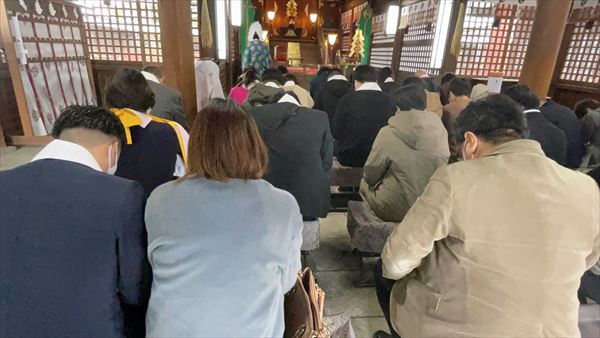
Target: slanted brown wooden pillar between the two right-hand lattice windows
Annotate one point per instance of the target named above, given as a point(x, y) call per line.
point(544, 45)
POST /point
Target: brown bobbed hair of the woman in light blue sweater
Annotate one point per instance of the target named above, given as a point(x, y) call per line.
point(225, 144)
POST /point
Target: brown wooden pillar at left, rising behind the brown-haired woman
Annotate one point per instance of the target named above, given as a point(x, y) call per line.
point(178, 53)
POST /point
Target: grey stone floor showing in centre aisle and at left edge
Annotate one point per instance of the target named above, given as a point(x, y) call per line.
point(336, 268)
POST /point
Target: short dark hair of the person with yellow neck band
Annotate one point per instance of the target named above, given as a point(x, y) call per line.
point(128, 88)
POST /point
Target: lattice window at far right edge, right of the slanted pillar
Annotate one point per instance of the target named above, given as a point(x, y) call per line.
point(582, 61)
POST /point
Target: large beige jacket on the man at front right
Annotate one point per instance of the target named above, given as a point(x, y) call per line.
point(495, 247)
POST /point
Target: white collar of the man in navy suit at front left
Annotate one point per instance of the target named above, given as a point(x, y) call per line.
point(68, 151)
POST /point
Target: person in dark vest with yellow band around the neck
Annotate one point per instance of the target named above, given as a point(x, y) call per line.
point(155, 150)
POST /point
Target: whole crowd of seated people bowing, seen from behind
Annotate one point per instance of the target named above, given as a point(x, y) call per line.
point(127, 225)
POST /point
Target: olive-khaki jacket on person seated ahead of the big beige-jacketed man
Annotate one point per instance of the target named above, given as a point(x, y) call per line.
point(405, 154)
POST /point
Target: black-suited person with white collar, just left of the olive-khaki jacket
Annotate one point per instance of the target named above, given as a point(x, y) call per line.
point(359, 116)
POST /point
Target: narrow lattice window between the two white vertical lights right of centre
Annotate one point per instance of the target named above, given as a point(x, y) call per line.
point(417, 45)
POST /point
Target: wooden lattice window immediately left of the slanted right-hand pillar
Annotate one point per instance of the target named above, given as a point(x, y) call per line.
point(494, 38)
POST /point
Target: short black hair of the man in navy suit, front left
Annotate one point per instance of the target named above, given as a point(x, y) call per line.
point(89, 117)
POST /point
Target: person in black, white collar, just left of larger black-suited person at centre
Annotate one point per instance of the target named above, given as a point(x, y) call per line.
point(337, 85)
